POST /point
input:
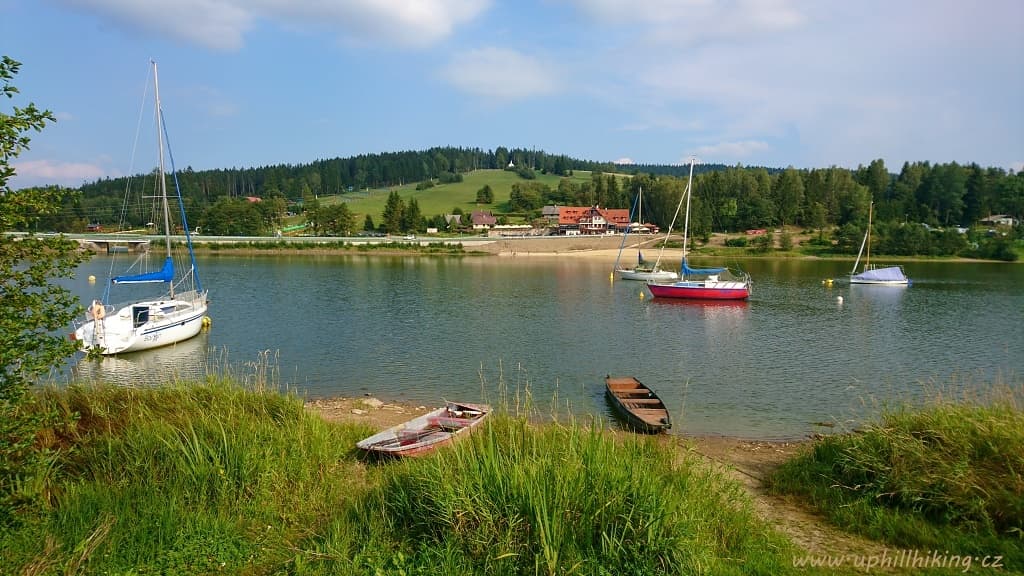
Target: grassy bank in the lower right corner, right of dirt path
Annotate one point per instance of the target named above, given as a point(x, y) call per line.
point(949, 477)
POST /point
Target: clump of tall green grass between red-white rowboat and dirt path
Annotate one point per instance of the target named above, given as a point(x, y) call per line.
point(515, 499)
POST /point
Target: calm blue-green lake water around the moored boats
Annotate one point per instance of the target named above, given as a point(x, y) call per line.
point(419, 330)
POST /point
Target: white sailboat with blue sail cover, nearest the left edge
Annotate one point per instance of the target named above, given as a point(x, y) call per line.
point(177, 315)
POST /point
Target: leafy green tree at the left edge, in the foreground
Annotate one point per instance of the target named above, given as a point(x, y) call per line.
point(34, 311)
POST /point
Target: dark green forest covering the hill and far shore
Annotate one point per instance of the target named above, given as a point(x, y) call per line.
point(940, 200)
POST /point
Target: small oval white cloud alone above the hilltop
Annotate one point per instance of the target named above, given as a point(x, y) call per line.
point(500, 74)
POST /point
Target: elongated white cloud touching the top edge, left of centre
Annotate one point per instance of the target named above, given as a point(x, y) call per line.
point(223, 25)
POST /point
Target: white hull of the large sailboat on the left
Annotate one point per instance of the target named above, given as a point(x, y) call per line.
point(145, 325)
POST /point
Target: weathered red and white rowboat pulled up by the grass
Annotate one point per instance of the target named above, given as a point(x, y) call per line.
point(425, 434)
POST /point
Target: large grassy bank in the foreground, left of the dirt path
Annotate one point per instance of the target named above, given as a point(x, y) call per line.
point(210, 478)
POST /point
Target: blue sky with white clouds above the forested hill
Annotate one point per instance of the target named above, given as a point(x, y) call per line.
point(804, 84)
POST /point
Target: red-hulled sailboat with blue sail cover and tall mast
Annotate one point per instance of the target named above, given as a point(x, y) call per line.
point(702, 284)
